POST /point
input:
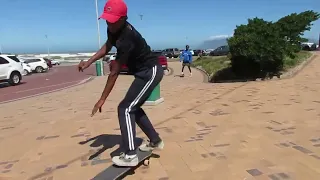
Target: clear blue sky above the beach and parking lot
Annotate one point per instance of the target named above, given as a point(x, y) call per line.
point(71, 24)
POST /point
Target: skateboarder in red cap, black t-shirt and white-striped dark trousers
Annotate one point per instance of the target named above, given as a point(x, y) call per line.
point(133, 51)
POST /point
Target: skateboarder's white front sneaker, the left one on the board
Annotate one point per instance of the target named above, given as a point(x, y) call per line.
point(125, 160)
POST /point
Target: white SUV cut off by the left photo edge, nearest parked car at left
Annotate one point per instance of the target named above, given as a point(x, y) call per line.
point(11, 69)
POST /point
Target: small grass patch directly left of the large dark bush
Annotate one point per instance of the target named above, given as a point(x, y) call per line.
point(212, 64)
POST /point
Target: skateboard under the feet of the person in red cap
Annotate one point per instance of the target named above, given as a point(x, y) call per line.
point(115, 172)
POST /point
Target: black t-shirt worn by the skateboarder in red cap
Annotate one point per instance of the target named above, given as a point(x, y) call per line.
point(132, 49)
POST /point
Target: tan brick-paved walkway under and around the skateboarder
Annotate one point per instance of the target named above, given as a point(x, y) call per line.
point(255, 130)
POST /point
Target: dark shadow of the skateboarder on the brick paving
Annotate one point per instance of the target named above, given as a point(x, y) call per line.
point(108, 141)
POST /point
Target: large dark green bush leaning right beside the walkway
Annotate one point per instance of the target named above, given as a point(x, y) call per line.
point(260, 47)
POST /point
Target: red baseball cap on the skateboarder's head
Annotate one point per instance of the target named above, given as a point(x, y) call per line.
point(114, 10)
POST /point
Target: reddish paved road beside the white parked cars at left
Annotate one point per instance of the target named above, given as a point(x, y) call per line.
point(58, 77)
